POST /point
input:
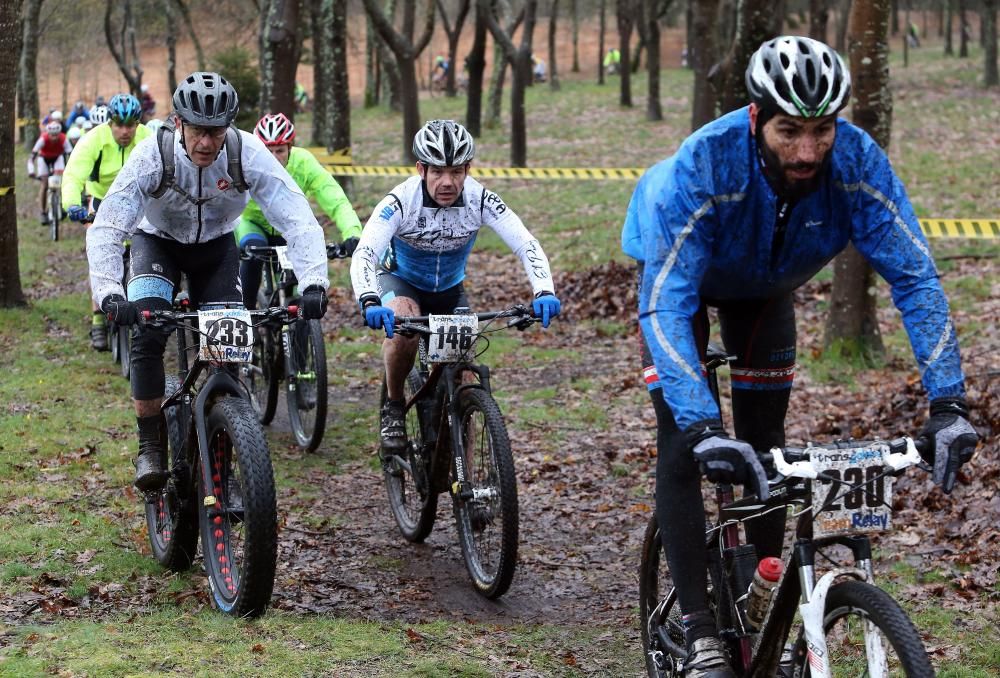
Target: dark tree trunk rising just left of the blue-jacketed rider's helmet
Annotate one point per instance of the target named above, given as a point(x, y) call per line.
point(755, 23)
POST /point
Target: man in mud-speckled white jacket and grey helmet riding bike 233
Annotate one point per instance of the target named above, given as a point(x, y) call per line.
point(180, 213)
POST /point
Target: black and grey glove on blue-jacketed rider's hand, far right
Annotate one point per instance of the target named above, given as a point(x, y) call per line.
point(948, 440)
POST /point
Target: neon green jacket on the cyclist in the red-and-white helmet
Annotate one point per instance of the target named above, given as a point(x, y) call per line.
point(317, 184)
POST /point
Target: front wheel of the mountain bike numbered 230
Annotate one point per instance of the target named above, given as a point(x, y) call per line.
point(850, 606)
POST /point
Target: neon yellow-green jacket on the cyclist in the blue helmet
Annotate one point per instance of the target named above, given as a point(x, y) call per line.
point(95, 162)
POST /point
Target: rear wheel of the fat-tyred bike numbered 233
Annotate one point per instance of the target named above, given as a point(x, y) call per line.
point(171, 518)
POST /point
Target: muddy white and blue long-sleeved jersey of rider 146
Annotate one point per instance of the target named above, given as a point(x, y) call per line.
point(427, 245)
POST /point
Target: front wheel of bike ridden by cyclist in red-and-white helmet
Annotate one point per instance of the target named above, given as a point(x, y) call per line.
point(305, 388)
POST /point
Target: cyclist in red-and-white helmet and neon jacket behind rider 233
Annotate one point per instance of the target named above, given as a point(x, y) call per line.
point(278, 133)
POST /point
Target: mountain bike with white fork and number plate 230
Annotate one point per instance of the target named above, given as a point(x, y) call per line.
point(840, 624)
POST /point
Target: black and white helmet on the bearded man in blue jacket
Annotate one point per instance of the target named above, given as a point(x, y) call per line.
point(798, 76)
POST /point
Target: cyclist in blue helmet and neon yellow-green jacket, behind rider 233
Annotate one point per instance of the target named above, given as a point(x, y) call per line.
point(96, 160)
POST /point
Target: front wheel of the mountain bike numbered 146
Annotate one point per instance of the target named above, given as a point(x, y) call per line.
point(488, 521)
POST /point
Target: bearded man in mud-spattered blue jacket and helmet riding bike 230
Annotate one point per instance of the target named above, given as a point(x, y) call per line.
point(750, 207)
